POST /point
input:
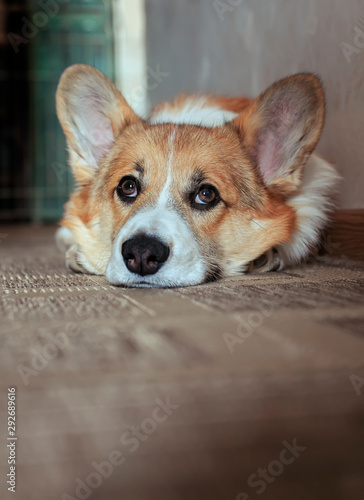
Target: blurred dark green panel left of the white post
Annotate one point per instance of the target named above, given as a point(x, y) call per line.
point(80, 32)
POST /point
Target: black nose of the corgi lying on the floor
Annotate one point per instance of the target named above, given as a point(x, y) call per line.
point(144, 254)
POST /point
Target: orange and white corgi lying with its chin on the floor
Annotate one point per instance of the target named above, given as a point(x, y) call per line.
point(205, 188)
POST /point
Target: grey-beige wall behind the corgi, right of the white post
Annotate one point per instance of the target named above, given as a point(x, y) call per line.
point(241, 46)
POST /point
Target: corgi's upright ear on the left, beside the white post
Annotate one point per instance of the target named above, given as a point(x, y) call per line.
point(92, 113)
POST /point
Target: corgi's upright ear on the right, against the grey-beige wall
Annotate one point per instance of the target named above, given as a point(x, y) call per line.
point(282, 128)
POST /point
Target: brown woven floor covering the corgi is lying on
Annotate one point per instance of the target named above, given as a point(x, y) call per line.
point(187, 393)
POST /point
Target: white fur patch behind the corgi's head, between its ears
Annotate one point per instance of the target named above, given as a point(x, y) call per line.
point(195, 111)
